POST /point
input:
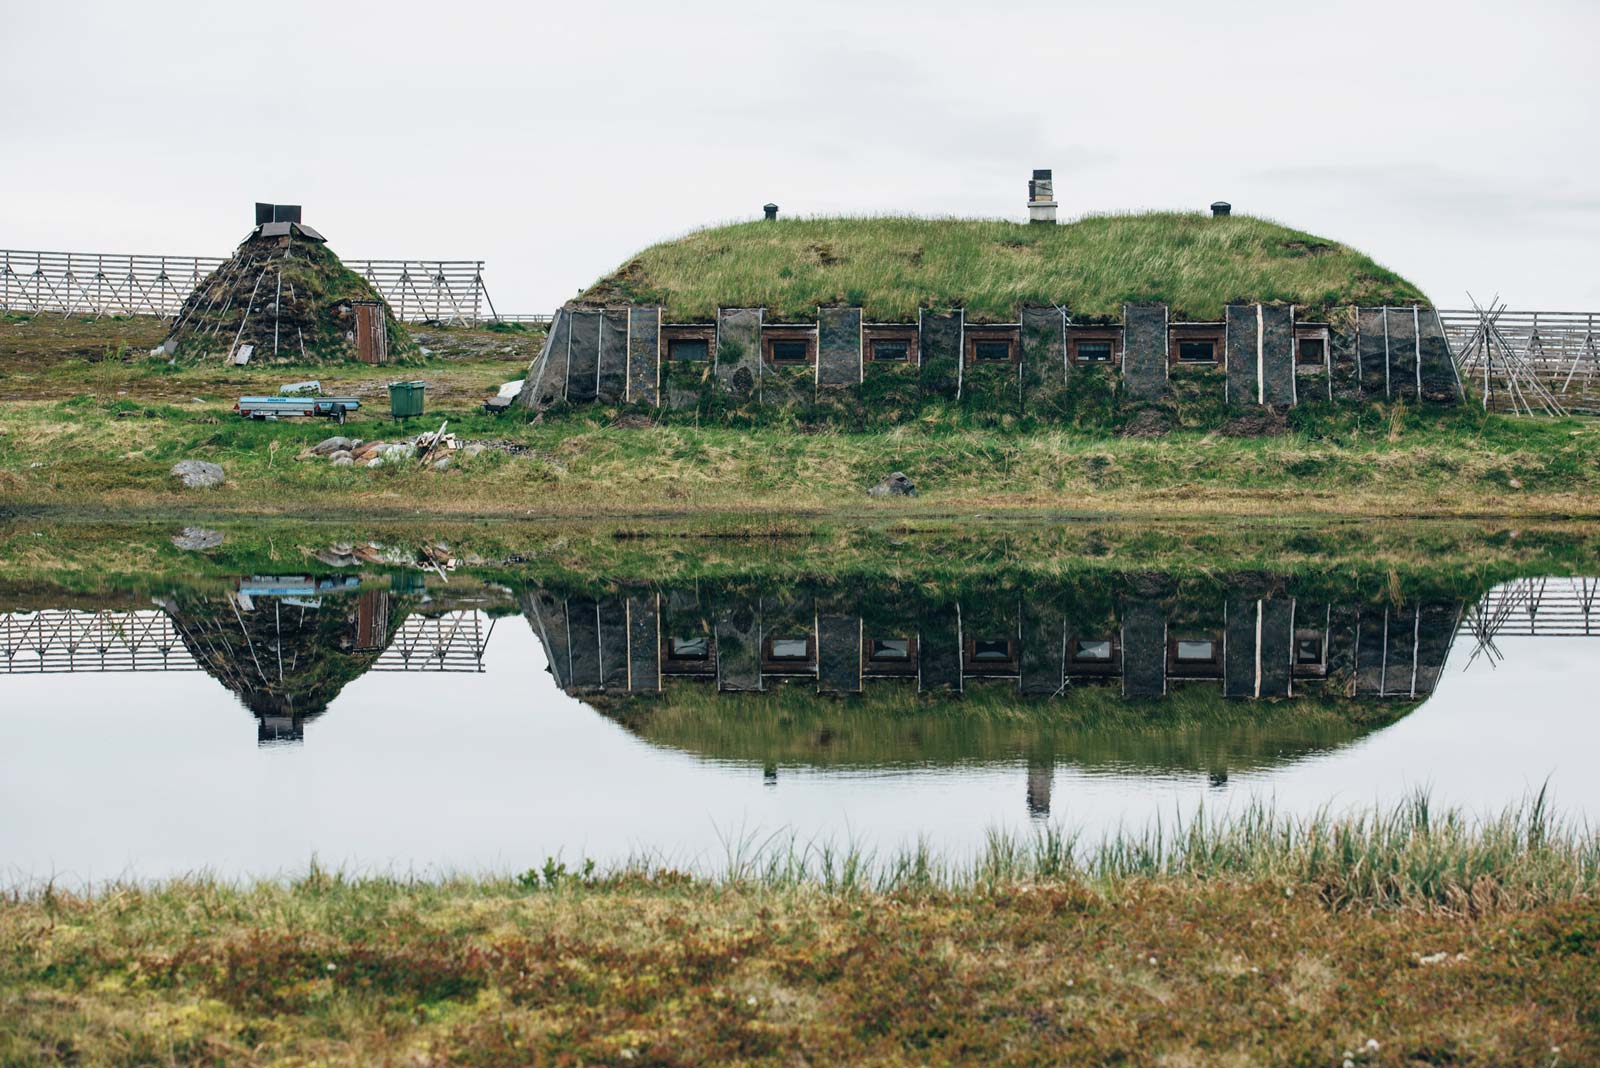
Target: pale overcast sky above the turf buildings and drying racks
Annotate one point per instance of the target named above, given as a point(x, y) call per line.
point(1452, 141)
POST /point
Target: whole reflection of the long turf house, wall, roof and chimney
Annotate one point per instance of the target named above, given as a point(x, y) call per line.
point(1135, 640)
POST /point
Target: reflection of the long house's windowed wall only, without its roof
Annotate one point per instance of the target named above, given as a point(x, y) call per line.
point(1268, 645)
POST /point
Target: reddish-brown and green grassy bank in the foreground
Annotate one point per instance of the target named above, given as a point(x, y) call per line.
point(1399, 939)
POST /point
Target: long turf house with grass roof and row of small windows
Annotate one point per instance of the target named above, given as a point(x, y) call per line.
point(1113, 319)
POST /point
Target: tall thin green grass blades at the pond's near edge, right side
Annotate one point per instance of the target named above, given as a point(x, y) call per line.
point(1409, 856)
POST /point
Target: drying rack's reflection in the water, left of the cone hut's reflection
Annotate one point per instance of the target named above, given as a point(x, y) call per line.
point(54, 642)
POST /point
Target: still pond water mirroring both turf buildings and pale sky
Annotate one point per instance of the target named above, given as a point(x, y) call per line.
point(246, 728)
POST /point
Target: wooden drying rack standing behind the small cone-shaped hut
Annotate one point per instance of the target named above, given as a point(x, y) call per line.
point(114, 284)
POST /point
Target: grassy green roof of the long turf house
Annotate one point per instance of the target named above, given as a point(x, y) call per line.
point(895, 266)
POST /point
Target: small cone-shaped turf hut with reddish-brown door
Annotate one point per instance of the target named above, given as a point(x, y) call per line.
point(284, 297)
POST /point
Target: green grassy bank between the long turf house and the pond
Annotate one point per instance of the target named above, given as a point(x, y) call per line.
point(116, 453)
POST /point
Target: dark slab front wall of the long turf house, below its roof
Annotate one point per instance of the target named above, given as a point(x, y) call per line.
point(617, 356)
